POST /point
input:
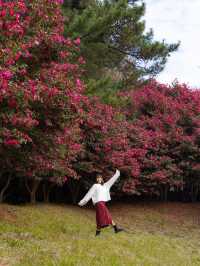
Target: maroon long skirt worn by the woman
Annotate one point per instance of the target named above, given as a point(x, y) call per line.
point(103, 216)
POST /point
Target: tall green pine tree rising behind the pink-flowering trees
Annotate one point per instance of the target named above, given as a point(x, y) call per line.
point(118, 51)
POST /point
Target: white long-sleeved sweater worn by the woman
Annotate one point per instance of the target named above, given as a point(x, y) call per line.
point(100, 192)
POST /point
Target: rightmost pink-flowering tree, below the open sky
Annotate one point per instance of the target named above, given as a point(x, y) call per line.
point(164, 124)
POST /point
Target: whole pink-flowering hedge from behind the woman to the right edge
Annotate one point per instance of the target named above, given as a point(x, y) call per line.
point(155, 141)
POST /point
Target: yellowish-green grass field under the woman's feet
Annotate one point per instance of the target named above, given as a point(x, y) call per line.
point(158, 234)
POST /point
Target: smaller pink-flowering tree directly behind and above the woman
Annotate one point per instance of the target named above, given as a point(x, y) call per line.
point(106, 144)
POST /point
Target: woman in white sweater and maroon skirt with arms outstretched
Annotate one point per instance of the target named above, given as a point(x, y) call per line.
point(100, 193)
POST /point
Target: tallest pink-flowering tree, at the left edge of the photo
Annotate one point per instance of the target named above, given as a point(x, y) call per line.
point(40, 95)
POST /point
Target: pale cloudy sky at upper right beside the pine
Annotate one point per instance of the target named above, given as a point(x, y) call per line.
point(177, 20)
